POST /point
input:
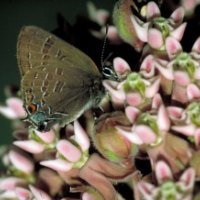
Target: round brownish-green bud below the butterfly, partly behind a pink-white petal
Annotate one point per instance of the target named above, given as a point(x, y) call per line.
point(109, 142)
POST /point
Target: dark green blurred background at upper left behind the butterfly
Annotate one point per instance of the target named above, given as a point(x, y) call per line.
point(16, 13)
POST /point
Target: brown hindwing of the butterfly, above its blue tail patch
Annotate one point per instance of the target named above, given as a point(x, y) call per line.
point(69, 91)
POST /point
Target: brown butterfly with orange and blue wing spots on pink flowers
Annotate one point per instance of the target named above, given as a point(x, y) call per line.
point(58, 81)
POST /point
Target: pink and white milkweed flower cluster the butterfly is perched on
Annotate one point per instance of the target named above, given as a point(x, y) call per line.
point(145, 142)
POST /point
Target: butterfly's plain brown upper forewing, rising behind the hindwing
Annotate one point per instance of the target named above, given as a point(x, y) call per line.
point(36, 47)
